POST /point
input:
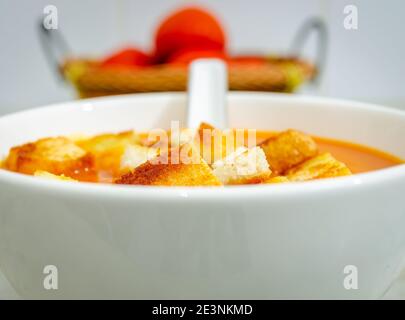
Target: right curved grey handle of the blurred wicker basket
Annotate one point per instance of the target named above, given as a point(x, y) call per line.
point(317, 25)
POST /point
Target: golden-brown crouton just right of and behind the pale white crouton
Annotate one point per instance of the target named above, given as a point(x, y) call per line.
point(288, 149)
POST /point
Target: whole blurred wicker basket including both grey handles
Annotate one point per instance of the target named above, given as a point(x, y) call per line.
point(279, 74)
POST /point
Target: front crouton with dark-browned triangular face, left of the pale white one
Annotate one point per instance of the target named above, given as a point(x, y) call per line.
point(181, 166)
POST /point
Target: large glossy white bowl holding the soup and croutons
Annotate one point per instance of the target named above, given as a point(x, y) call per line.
point(256, 242)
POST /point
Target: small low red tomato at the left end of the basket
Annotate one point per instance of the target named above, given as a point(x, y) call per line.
point(129, 57)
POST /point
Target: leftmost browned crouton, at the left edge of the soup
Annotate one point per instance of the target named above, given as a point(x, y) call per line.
point(55, 155)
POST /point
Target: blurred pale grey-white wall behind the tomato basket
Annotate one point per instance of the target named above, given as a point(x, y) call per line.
point(364, 64)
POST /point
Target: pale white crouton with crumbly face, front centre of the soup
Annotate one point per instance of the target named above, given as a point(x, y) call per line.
point(241, 165)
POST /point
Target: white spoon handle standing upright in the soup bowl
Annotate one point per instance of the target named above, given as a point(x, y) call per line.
point(207, 88)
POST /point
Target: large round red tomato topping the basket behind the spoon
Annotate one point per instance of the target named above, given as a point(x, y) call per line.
point(188, 28)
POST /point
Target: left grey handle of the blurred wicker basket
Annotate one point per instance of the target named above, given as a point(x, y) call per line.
point(54, 47)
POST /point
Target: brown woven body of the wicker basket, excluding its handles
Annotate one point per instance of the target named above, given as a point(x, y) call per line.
point(281, 75)
